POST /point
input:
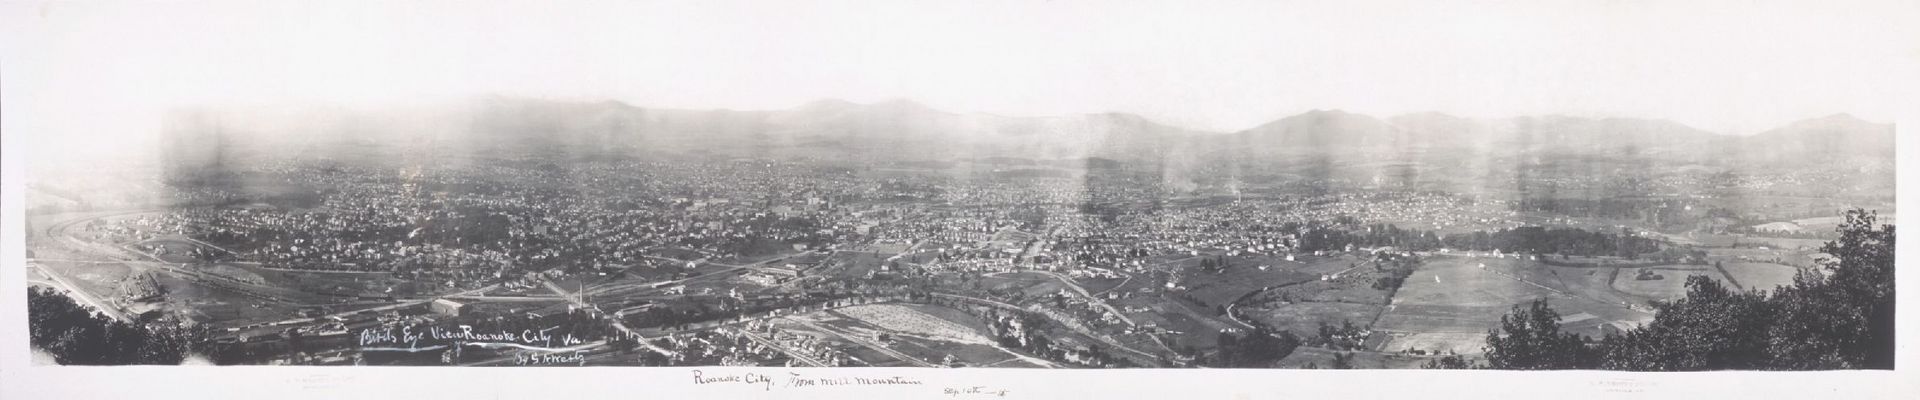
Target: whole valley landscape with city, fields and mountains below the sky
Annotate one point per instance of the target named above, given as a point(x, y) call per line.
point(521, 232)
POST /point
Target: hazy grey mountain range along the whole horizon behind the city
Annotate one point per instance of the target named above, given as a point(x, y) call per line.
point(901, 130)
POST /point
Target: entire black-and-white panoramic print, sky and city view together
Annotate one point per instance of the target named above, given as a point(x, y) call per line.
point(1024, 199)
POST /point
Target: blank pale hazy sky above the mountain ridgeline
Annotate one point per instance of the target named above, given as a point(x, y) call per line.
point(1723, 66)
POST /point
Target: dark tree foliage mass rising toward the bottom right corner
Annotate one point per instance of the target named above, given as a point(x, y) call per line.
point(1835, 320)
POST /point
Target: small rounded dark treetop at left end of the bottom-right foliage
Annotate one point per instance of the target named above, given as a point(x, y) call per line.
point(1531, 339)
